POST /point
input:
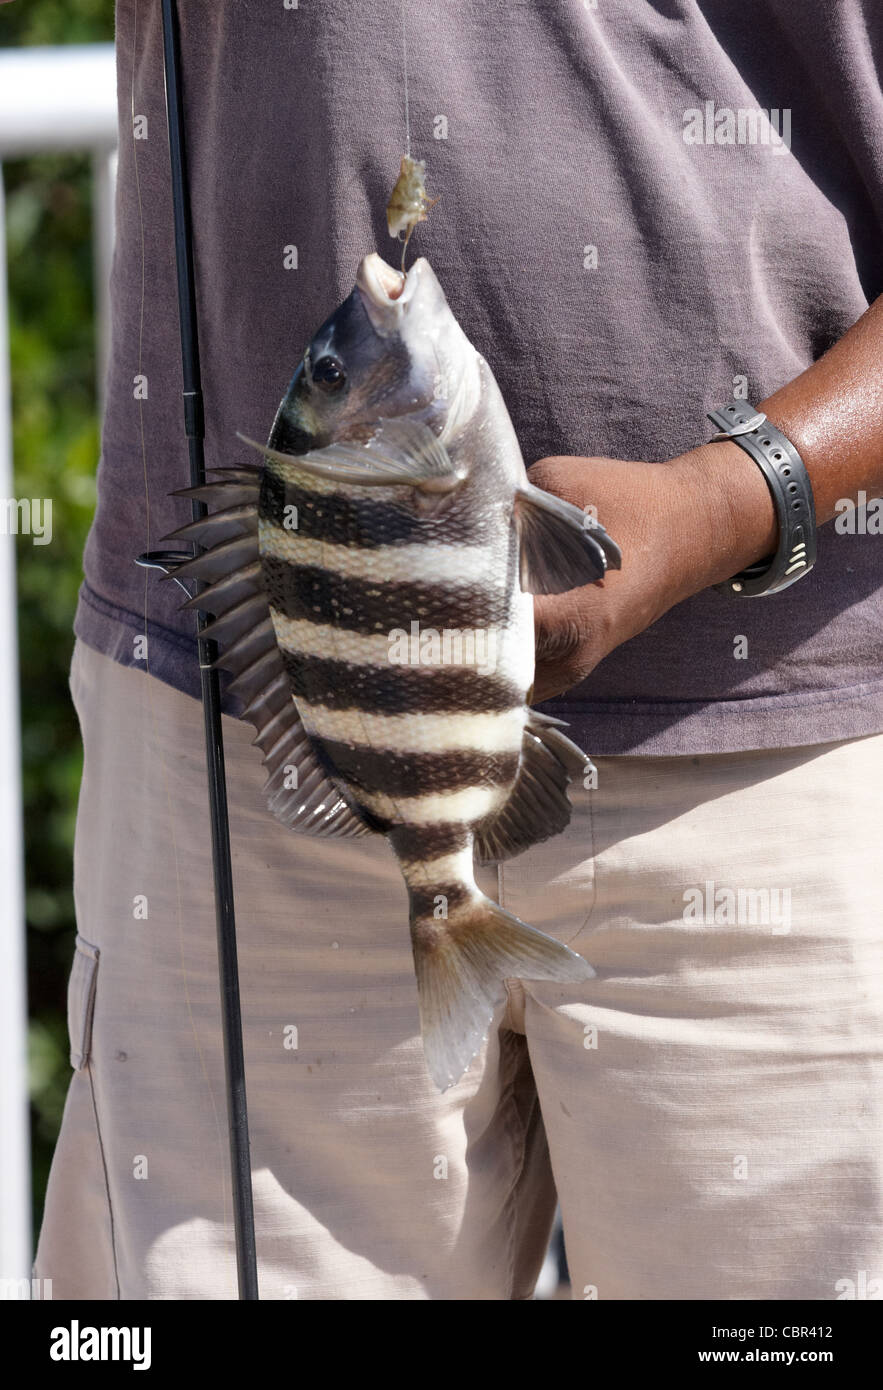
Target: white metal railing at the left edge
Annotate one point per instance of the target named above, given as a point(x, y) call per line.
point(51, 101)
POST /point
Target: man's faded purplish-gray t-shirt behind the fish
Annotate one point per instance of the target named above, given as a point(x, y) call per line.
point(643, 209)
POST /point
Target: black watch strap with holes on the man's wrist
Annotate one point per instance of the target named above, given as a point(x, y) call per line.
point(789, 483)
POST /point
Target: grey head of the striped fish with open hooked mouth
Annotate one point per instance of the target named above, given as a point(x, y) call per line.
point(393, 348)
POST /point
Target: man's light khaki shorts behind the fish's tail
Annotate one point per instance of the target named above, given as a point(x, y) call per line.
point(708, 1109)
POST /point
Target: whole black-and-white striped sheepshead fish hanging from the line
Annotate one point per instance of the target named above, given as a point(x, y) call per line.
point(371, 587)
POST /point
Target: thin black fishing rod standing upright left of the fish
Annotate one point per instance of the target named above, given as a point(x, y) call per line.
point(194, 423)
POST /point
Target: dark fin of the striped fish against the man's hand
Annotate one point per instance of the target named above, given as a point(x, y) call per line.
point(562, 548)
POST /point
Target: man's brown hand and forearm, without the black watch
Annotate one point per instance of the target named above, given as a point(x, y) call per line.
point(700, 519)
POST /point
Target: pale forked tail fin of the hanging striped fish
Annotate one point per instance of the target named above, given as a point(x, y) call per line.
point(461, 970)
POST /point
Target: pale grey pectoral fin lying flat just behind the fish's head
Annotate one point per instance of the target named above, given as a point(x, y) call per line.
point(403, 452)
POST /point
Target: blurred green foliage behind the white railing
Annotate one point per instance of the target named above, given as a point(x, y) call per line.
point(56, 448)
